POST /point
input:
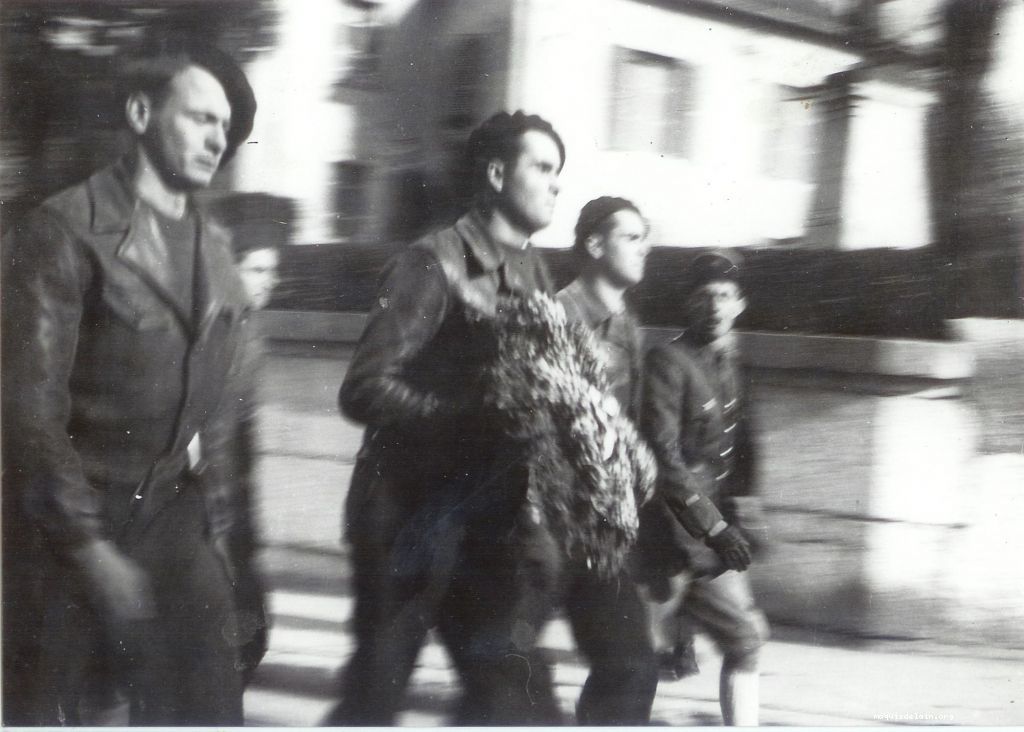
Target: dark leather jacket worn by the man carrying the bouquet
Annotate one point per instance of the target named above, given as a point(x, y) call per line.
point(414, 379)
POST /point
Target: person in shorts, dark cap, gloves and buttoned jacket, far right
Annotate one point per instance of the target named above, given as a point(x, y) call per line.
point(697, 534)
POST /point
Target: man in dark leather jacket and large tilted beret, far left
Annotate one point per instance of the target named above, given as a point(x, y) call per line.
point(121, 313)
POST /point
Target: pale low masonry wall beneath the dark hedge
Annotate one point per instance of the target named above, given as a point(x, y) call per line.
point(888, 521)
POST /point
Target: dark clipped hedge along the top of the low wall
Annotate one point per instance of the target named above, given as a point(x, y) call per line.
point(874, 292)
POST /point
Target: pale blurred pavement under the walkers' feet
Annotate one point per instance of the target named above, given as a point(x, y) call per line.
point(804, 683)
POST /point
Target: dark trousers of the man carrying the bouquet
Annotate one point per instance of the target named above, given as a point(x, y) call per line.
point(477, 570)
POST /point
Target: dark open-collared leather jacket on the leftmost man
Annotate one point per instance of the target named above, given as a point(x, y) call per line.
point(106, 382)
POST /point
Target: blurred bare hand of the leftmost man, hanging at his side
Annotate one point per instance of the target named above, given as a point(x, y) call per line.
point(121, 588)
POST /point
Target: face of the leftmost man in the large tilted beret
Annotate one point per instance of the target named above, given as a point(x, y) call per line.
point(188, 132)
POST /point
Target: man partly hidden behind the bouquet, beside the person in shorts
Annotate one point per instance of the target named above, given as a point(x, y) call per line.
point(609, 618)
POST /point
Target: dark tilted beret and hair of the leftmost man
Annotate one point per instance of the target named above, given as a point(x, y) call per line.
point(150, 67)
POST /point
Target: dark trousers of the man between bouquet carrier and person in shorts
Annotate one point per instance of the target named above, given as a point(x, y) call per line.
point(610, 622)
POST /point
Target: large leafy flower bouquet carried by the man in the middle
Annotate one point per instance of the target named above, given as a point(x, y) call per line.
point(589, 469)
